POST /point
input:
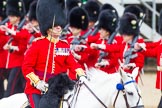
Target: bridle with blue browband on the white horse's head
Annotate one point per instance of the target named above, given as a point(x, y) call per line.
point(125, 97)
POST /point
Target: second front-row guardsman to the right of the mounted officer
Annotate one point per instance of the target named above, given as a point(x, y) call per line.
point(109, 62)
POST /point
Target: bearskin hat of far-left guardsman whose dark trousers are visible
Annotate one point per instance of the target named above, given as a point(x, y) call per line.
point(15, 8)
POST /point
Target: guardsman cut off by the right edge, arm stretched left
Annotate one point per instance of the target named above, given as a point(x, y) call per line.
point(154, 49)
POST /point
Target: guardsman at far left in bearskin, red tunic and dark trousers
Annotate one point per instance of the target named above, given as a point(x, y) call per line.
point(15, 47)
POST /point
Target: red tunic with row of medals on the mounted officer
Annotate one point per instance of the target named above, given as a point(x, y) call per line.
point(36, 57)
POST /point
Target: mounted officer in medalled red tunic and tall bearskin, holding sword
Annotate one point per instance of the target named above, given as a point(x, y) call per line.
point(48, 55)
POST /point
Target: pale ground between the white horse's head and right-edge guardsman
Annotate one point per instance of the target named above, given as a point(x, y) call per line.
point(150, 95)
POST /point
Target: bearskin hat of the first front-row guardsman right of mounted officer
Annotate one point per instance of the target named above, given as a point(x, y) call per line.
point(78, 17)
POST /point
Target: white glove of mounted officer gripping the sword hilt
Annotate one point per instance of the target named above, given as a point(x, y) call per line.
point(42, 86)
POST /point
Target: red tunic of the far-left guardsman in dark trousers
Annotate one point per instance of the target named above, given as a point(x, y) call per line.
point(15, 58)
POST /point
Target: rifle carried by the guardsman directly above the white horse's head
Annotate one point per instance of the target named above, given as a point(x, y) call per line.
point(129, 53)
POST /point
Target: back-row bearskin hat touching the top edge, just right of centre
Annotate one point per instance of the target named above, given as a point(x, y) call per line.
point(93, 9)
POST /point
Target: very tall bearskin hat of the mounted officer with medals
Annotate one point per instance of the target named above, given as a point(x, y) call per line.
point(49, 12)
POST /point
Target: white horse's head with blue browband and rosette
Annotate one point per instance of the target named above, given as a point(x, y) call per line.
point(131, 92)
